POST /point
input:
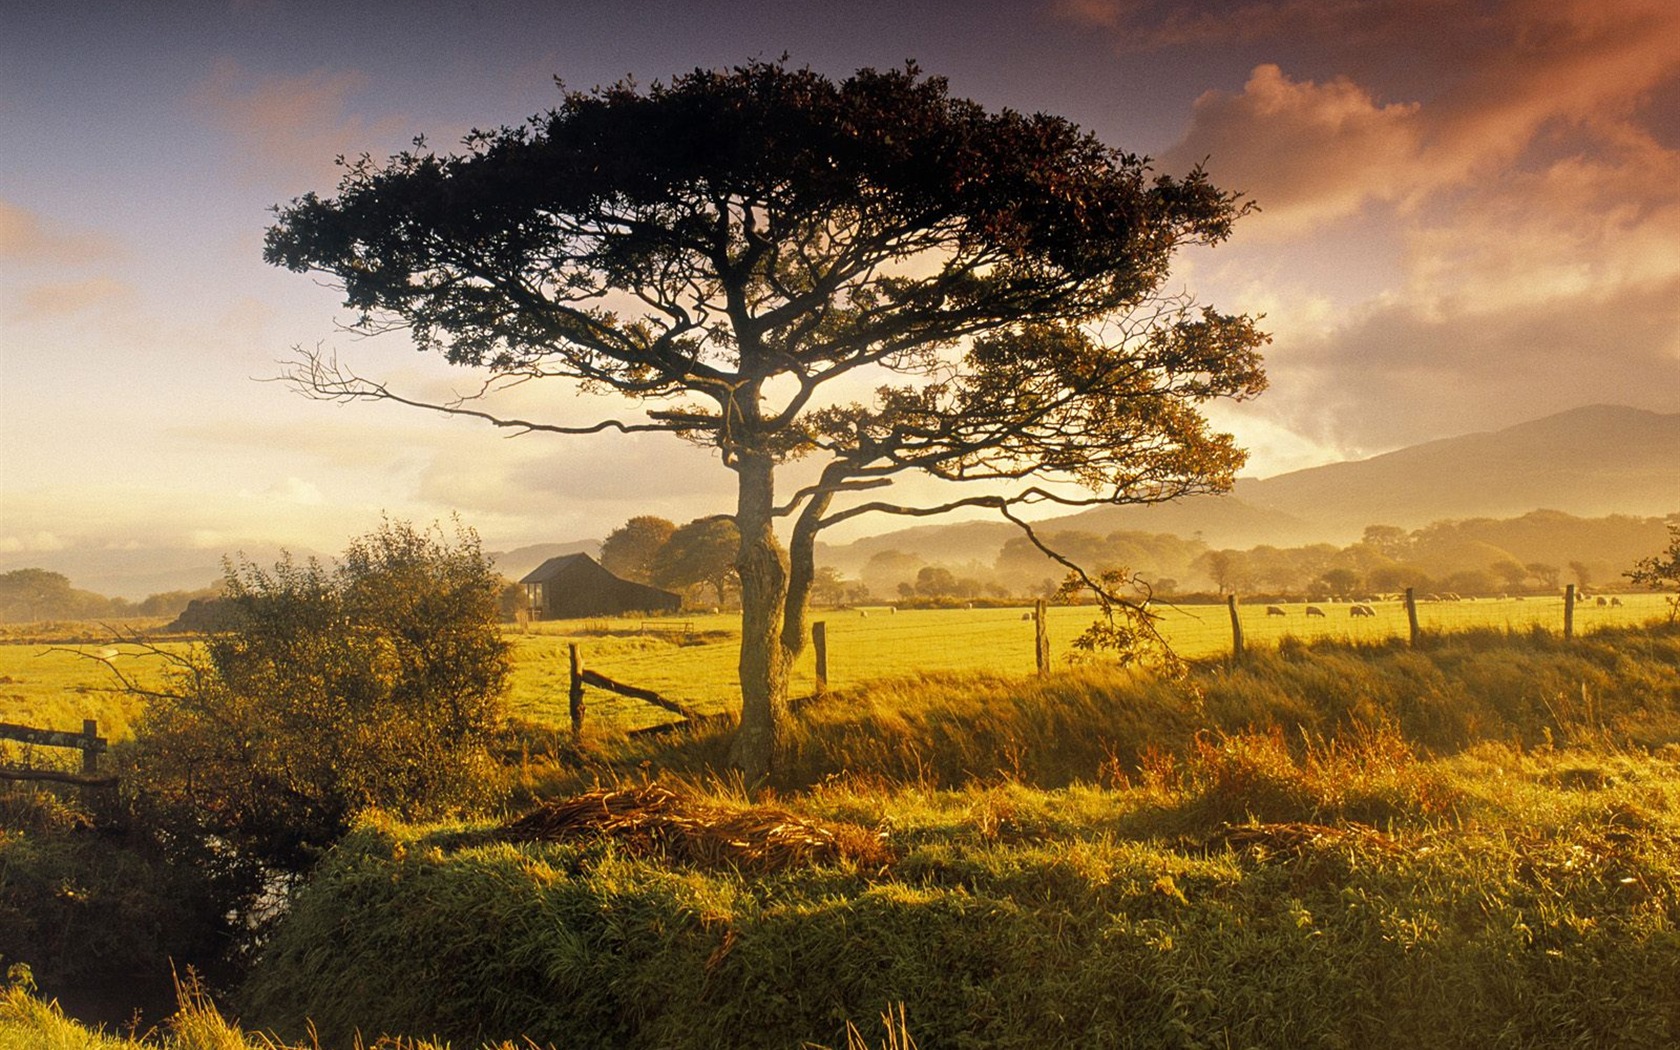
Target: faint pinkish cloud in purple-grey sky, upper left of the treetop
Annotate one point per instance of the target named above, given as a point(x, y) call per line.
point(293, 129)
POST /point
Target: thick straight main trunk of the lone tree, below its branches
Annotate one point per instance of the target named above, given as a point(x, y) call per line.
point(764, 567)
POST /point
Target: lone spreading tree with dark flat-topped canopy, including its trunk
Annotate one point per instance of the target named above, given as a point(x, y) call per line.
point(869, 275)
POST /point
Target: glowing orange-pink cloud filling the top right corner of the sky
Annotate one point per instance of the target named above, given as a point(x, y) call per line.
point(1494, 90)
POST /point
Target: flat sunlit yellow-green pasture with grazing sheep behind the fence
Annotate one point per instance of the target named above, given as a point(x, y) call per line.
point(693, 659)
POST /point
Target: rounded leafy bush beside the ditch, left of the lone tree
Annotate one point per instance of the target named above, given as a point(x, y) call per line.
point(375, 683)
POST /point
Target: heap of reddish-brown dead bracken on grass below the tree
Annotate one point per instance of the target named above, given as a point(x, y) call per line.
point(654, 821)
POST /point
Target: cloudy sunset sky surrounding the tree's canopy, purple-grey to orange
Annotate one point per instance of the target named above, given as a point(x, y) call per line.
point(1469, 218)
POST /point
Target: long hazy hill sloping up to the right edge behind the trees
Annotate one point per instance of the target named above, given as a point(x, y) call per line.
point(1587, 463)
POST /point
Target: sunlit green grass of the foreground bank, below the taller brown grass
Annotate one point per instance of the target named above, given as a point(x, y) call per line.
point(1509, 900)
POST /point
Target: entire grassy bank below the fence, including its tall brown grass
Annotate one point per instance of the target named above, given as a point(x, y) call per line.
point(1333, 844)
